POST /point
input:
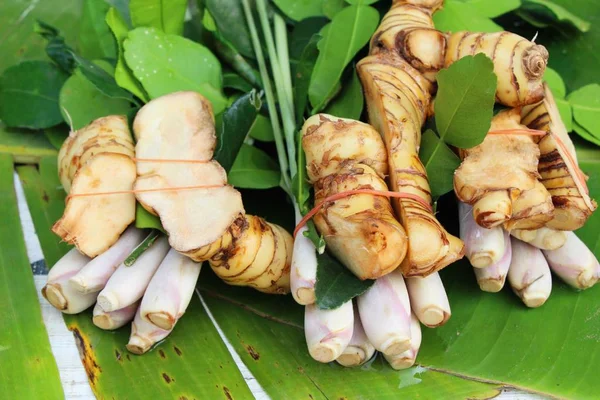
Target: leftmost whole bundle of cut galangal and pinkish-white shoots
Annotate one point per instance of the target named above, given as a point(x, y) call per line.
point(148, 277)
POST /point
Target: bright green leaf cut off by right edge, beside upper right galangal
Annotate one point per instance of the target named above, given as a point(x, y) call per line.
point(586, 108)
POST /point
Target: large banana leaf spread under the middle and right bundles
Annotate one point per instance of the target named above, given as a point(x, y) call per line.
point(490, 337)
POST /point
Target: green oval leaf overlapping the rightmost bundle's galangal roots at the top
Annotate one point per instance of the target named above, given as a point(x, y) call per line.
point(465, 101)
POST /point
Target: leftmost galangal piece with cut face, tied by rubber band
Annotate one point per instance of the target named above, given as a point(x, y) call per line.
point(91, 163)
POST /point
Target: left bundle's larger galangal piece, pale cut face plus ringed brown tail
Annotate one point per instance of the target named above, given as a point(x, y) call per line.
point(204, 216)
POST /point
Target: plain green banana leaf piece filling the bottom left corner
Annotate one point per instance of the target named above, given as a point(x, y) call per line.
point(27, 366)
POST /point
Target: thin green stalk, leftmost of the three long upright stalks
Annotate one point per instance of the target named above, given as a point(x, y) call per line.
point(279, 141)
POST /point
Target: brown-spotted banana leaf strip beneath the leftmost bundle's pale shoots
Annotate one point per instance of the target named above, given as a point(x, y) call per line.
point(193, 362)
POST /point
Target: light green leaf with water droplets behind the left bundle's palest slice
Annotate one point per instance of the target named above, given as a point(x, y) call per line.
point(167, 63)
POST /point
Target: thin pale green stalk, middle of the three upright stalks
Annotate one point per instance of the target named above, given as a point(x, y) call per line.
point(289, 126)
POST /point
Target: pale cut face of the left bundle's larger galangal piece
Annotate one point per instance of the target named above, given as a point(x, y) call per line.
point(180, 126)
